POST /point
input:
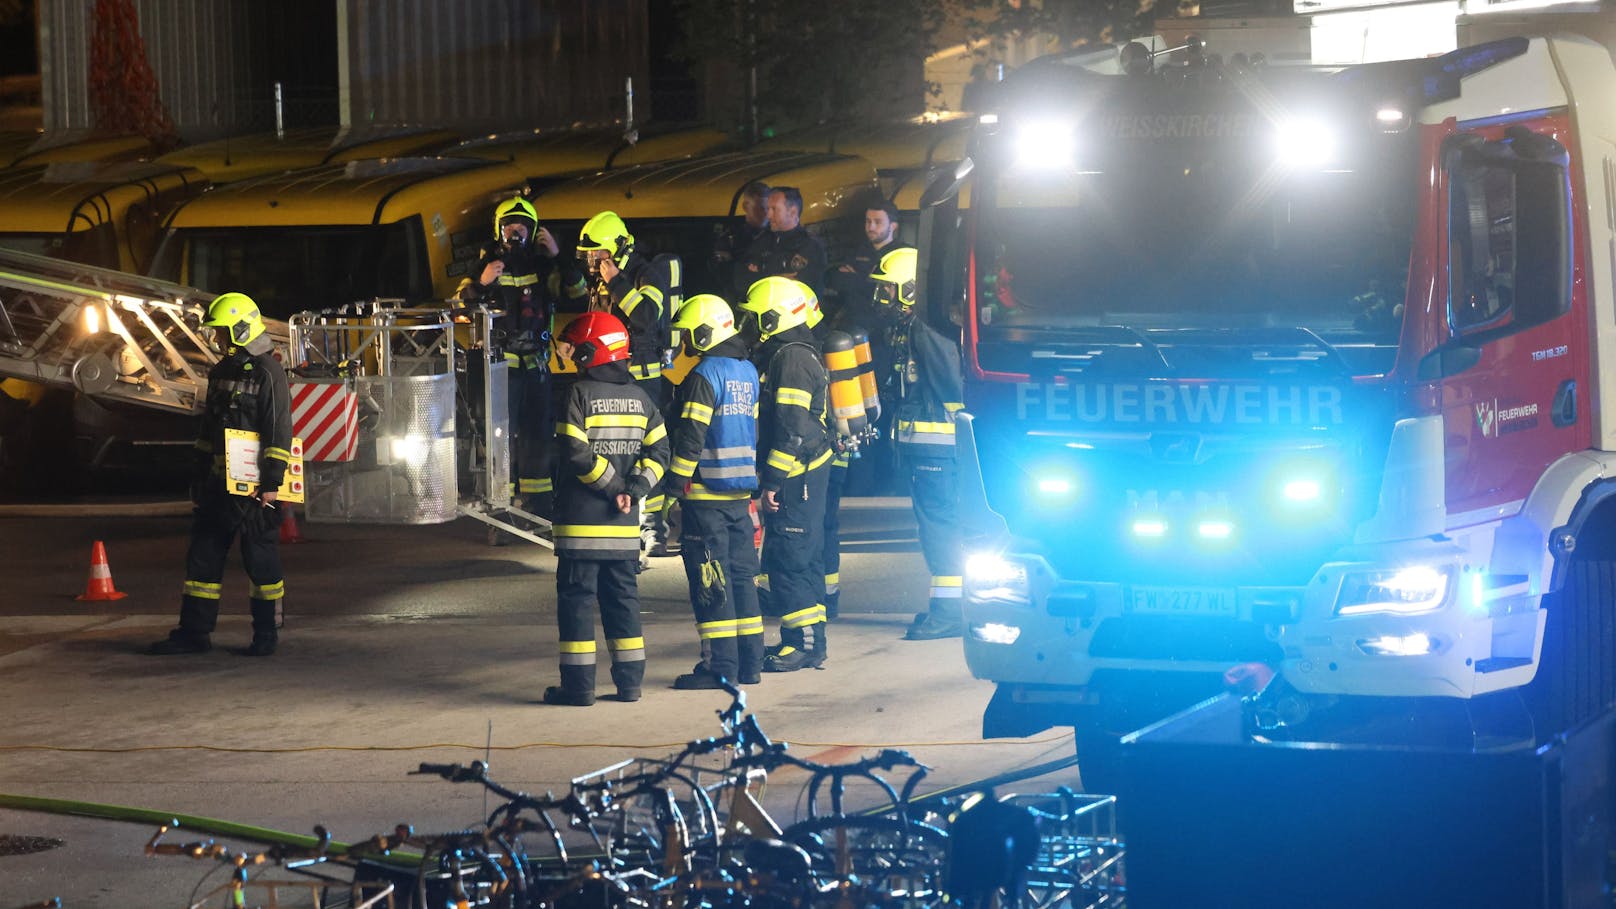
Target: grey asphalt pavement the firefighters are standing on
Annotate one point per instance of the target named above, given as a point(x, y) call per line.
point(403, 646)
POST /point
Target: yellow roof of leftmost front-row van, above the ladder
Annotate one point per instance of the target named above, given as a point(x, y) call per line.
point(82, 195)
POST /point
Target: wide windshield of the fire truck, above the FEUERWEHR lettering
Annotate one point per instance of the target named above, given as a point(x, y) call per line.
point(1151, 227)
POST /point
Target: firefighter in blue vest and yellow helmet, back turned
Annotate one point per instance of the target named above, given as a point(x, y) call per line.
point(715, 450)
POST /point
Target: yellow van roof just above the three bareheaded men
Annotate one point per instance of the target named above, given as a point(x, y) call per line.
point(710, 187)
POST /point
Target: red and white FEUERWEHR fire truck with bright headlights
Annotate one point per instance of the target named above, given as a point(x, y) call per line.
point(1294, 366)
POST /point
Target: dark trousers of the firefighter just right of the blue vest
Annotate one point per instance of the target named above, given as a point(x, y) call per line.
point(794, 557)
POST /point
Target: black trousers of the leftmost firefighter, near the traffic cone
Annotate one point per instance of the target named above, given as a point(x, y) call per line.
point(219, 520)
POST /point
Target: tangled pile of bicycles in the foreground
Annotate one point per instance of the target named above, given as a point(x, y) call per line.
point(691, 832)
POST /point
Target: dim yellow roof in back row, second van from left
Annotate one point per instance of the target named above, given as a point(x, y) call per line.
point(243, 158)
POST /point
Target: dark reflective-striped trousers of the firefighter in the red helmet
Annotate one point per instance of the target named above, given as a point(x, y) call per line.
point(608, 586)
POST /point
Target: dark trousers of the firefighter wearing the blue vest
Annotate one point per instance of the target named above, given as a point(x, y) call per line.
point(731, 627)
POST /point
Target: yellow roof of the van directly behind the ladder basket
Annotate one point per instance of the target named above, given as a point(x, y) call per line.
point(355, 193)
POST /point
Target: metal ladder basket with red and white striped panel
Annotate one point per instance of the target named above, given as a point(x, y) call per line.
point(374, 399)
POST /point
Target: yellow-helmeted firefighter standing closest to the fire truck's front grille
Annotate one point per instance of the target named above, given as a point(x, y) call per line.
point(930, 391)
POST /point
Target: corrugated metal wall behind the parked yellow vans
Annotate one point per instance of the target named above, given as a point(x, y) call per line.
point(466, 64)
